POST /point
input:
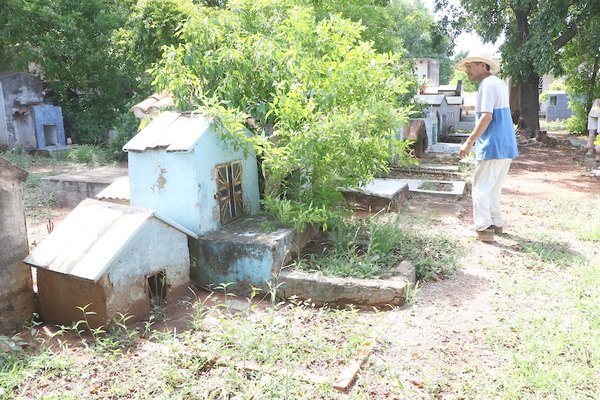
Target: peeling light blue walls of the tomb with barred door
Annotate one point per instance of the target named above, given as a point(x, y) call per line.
point(181, 185)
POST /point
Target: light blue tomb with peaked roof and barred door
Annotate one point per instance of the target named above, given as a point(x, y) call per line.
point(181, 168)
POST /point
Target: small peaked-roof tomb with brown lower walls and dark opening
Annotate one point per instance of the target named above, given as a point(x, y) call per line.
point(110, 260)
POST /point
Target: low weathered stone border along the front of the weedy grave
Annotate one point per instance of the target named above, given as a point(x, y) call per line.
point(362, 293)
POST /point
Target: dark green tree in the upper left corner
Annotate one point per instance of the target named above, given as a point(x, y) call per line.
point(70, 43)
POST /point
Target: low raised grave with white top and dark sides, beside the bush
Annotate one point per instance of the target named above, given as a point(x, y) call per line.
point(378, 194)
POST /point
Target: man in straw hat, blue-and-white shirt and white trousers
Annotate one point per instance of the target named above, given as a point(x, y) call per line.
point(493, 140)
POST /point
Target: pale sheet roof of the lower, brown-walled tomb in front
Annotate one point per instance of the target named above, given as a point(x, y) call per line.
point(86, 242)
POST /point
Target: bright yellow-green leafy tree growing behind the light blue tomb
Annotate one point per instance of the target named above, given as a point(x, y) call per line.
point(325, 103)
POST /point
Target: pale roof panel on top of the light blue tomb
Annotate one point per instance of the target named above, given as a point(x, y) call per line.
point(170, 130)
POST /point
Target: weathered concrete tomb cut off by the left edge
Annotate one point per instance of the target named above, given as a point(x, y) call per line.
point(16, 292)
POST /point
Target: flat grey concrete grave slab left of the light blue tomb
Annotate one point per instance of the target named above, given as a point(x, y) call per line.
point(75, 187)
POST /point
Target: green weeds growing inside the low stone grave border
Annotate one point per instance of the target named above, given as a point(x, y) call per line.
point(371, 249)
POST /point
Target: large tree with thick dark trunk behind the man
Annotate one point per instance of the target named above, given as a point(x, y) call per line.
point(535, 31)
